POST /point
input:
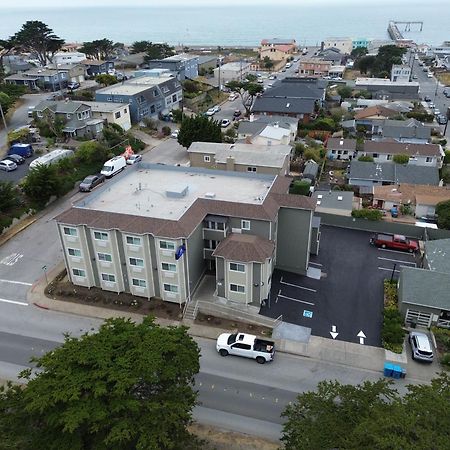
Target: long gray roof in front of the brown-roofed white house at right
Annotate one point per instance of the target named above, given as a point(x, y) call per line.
point(393, 173)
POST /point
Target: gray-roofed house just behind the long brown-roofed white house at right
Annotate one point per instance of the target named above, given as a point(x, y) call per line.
point(410, 131)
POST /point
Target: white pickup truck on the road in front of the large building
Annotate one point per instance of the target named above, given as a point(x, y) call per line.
point(246, 345)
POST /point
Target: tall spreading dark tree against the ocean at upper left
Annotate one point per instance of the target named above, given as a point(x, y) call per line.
point(37, 37)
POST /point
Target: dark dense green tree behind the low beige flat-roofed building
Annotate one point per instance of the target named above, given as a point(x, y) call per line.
point(199, 129)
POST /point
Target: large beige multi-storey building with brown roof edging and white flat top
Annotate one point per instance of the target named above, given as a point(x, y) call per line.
point(154, 231)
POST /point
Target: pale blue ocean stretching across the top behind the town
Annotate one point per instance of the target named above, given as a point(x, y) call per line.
point(242, 25)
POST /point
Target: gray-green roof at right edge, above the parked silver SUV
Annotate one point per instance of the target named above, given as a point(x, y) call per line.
point(425, 288)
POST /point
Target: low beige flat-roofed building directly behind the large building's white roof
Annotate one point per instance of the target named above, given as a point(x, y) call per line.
point(251, 158)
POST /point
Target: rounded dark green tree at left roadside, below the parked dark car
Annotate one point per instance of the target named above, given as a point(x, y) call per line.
point(41, 183)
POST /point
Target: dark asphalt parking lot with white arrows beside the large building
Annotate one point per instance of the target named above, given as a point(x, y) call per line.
point(347, 301)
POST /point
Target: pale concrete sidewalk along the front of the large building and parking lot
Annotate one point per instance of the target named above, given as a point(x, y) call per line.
point(318, 348)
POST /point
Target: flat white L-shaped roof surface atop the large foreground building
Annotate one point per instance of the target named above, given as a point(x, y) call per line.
point(167, 192)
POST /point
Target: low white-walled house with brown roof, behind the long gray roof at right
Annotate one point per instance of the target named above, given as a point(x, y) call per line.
point(431, 155)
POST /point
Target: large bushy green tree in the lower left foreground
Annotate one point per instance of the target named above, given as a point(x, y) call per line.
point(125, 387)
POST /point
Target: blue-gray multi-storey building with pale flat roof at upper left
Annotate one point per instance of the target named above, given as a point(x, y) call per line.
point(146, 96)
